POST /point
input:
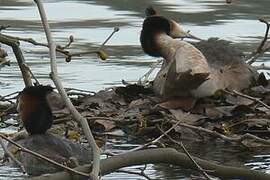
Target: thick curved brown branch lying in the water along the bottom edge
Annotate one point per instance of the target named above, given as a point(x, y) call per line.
point(162, 155)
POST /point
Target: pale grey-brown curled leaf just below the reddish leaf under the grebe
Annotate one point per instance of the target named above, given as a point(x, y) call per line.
point(188, 118)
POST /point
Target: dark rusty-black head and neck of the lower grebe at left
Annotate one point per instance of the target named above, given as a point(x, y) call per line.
point(34, 109)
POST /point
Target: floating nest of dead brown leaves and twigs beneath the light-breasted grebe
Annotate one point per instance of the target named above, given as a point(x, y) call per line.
point(134, 111)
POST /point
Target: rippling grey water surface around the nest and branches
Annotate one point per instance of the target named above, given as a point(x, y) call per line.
point(90, 22)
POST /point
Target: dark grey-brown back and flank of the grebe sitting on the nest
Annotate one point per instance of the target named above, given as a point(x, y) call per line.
point(226, 62)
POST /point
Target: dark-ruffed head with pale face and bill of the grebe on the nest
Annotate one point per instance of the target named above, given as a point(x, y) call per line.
point(155, 25)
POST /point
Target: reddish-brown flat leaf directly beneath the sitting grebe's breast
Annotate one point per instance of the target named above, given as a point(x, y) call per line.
point(185, 103)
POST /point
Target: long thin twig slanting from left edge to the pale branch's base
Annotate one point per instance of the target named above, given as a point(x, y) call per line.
point(43, 157)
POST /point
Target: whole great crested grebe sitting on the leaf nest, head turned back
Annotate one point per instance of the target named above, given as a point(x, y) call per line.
point(197, 70)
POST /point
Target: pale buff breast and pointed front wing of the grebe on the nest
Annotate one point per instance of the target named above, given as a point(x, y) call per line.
point(186, 71)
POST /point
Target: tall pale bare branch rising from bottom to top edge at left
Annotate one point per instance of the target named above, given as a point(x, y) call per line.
point(86, 129)
